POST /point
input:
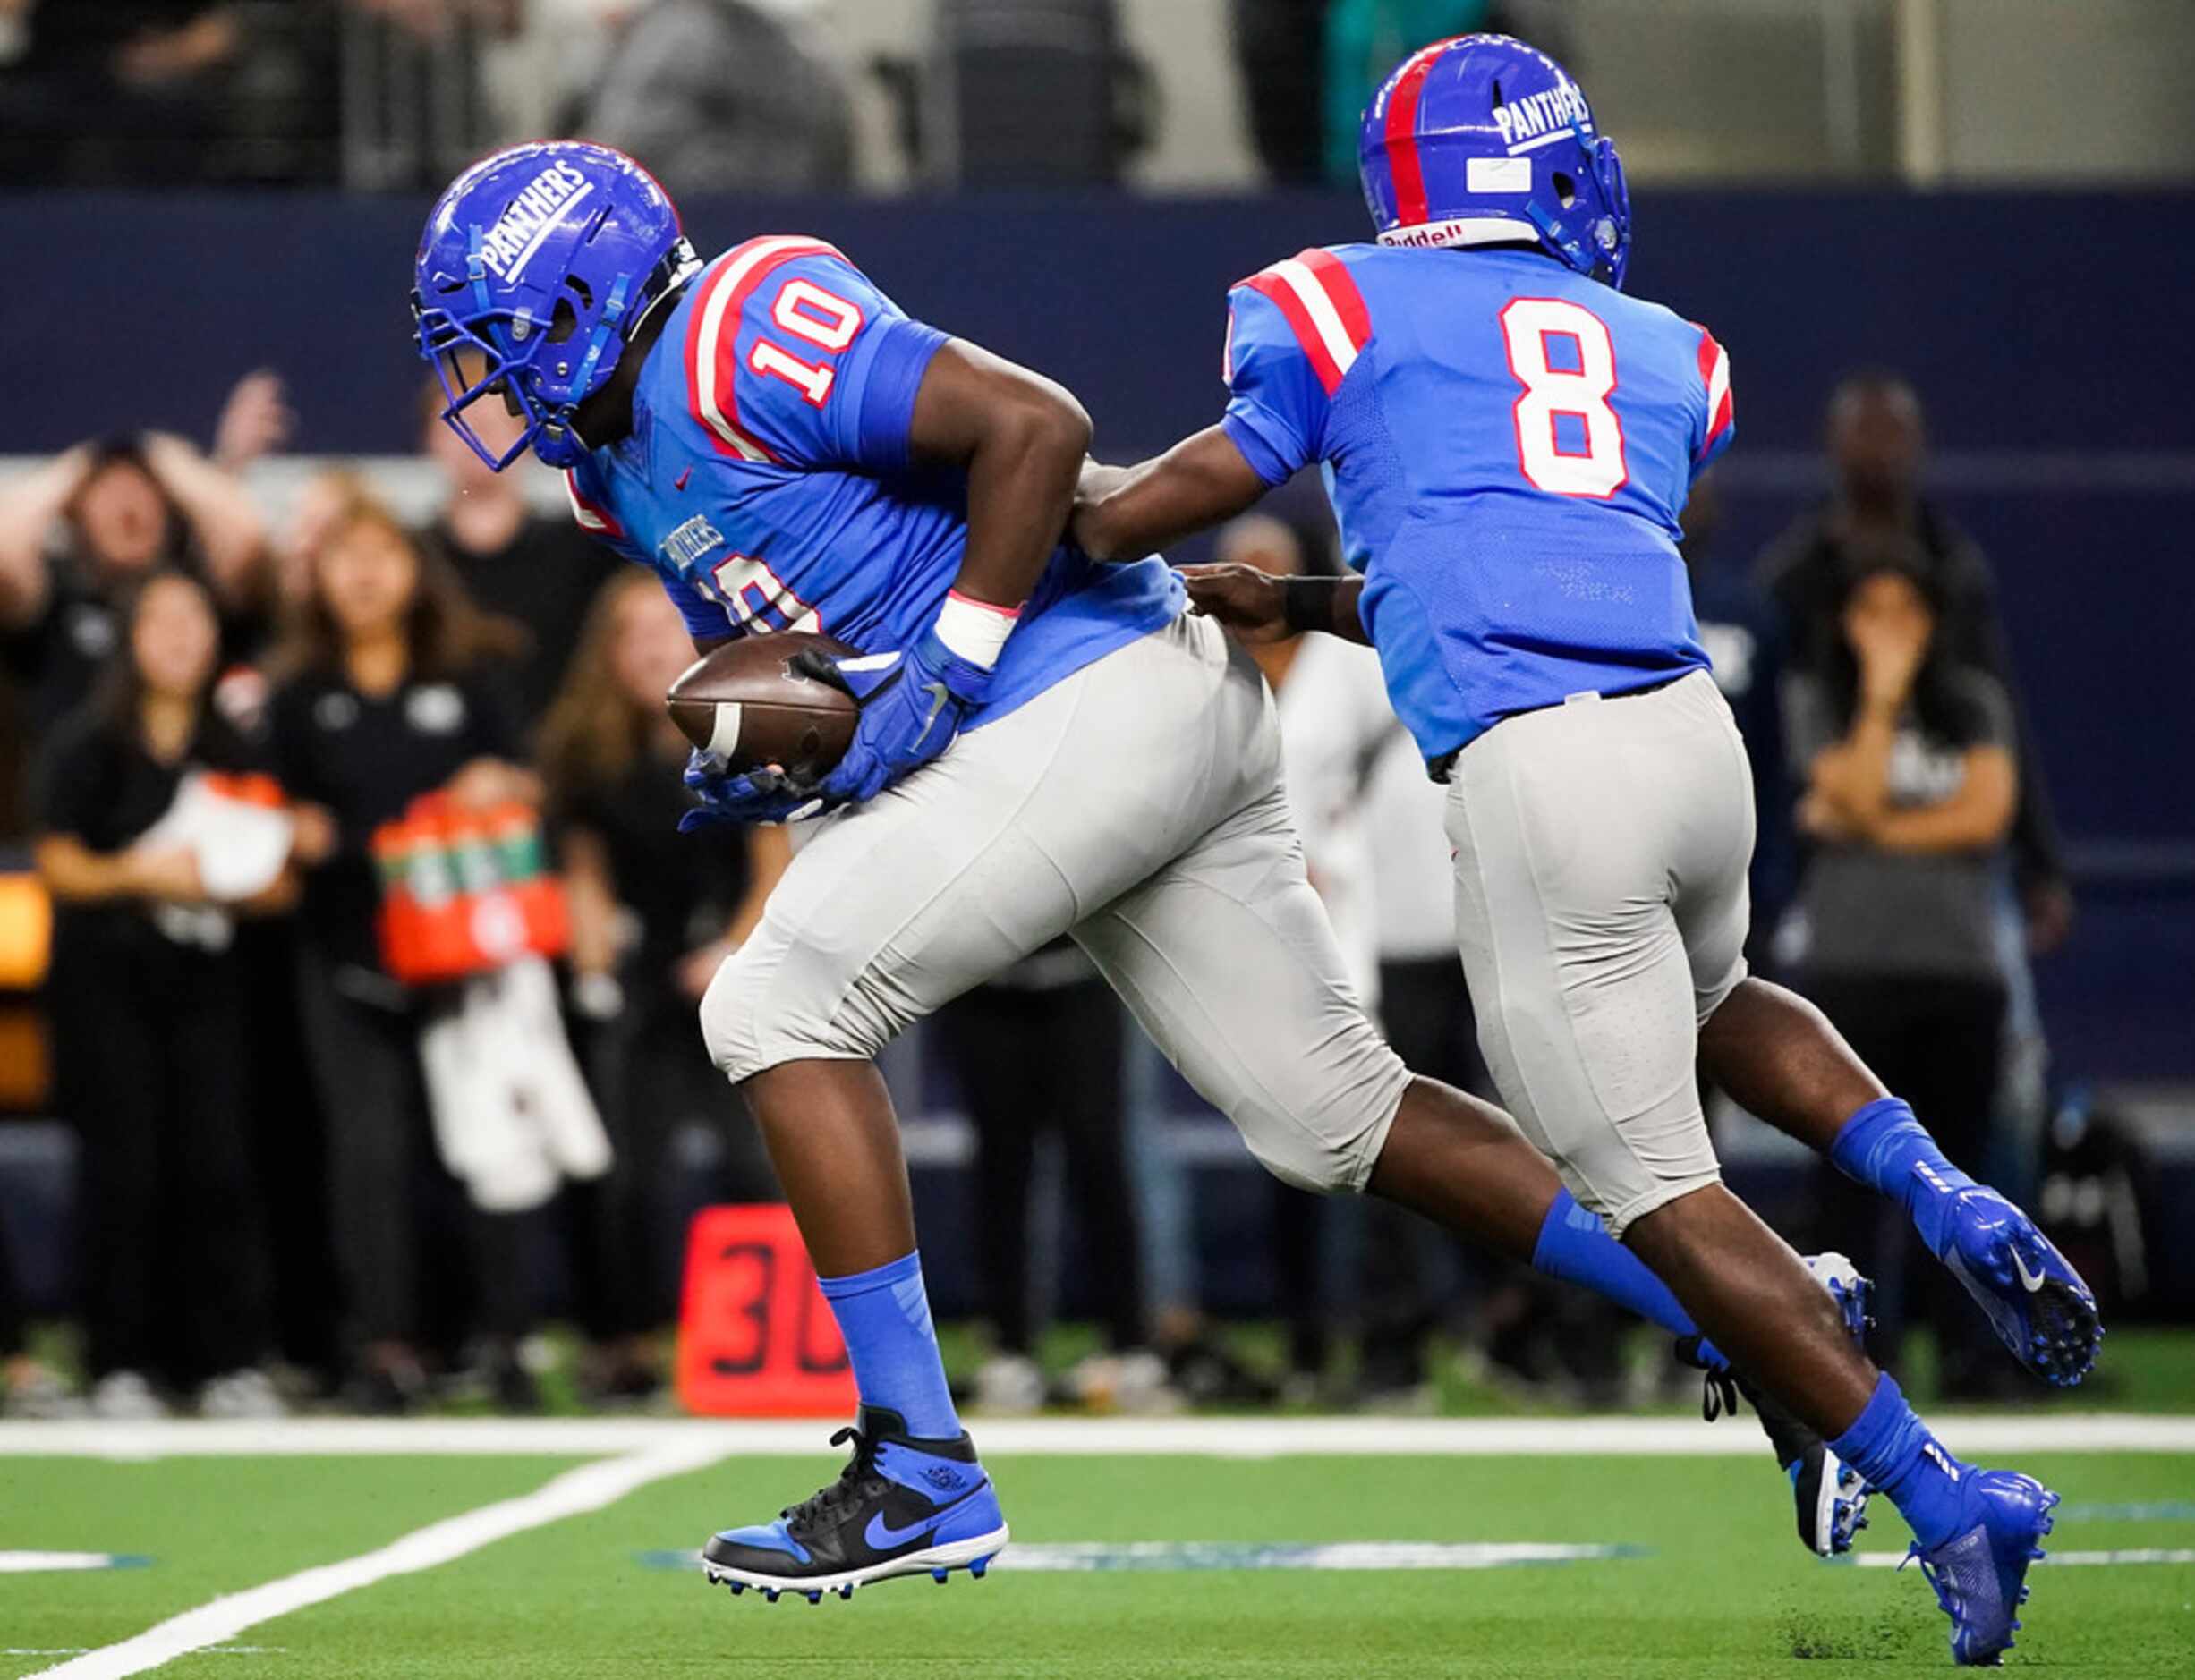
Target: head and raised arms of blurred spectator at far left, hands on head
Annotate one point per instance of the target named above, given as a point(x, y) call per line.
point(82, 530)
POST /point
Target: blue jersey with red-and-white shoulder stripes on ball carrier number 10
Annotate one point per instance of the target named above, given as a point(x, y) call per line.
point(769, 481)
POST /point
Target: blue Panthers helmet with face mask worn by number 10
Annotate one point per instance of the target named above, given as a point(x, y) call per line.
point(534, 271)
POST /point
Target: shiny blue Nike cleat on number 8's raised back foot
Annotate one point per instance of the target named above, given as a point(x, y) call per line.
point(2036, 1302)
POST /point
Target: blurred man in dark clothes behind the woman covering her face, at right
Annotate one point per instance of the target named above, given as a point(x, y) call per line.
point(1878, 446)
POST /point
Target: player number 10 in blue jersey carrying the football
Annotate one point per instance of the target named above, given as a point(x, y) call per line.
point(1046, 745)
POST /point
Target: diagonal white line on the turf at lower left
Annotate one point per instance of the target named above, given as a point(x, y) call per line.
point(589, 1488)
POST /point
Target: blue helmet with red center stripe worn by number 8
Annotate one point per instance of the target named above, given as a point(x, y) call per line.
point(1485, 141)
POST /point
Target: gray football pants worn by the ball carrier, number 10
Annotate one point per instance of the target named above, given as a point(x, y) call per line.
point(1136, 806)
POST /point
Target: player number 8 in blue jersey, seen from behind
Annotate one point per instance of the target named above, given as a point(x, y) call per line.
point(1509, 442)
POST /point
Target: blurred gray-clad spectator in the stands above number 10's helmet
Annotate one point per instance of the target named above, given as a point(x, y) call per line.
point(725, 98)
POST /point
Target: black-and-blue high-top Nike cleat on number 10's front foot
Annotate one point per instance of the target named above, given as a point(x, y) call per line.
point(901, 1508)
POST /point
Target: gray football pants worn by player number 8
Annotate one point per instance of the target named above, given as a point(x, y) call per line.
point(1601, 909)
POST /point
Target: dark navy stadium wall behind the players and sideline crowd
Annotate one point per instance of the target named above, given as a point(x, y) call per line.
point(2029, 321)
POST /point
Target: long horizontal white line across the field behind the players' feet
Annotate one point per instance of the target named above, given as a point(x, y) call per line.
point(1224, 1438)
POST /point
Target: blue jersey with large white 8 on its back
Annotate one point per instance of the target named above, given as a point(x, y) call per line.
point(1507, 446)
